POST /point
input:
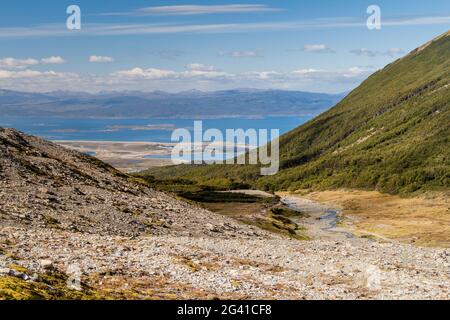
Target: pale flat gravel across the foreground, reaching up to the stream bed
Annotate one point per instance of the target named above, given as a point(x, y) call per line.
point(245, 265)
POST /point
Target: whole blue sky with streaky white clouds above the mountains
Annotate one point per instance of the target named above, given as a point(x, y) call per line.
point(321, 45)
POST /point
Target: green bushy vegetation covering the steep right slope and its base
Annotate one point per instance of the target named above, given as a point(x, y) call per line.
point(391, 134)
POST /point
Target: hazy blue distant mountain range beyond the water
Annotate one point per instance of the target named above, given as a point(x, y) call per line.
point(158, 104)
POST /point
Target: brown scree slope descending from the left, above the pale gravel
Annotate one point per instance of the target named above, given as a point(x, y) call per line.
point(45, 186)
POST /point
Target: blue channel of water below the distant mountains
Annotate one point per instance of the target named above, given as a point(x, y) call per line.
point(145, 130)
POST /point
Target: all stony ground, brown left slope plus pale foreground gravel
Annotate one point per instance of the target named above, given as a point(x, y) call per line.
point(65, 213)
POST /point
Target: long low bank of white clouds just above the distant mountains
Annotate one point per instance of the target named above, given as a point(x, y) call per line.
point(194, 76)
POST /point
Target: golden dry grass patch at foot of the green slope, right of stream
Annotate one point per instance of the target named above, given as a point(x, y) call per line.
point(422, 220)
